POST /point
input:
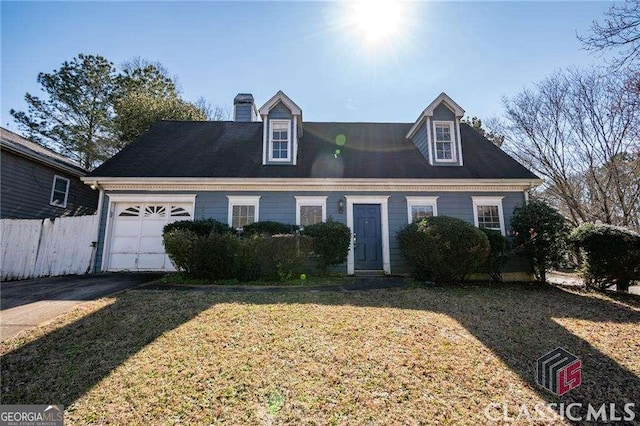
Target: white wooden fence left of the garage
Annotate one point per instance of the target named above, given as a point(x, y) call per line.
point(34, 248)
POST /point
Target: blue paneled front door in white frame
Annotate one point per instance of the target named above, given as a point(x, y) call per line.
point(367, 235)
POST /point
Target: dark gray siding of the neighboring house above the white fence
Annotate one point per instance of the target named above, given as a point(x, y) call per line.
point(26, 191)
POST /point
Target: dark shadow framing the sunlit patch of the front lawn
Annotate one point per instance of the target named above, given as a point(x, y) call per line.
point(517, 323)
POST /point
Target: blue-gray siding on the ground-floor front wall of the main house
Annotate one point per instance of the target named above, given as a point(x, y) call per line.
point(281, 207)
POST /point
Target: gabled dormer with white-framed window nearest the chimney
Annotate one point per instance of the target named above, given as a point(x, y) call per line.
point(282, 129)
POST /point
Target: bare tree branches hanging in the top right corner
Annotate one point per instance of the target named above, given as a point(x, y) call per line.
point(620, 31)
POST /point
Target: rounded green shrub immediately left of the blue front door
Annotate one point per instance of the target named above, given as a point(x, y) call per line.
point(331, 241)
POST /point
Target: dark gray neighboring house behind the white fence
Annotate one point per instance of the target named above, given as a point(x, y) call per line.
point(38, 183)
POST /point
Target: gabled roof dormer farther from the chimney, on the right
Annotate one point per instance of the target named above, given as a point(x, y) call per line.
point(436, 133)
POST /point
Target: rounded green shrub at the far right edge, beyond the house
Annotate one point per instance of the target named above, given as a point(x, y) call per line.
point(611, 255)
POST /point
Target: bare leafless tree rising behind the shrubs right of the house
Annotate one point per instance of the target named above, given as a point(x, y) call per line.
point(579, 130)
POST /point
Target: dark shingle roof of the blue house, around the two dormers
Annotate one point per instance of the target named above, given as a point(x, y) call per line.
point(231, 149)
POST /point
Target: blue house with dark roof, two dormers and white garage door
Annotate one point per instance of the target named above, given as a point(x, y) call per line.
point(374, 177)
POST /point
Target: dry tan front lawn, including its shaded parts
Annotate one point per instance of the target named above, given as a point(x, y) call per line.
point(437, 355)
